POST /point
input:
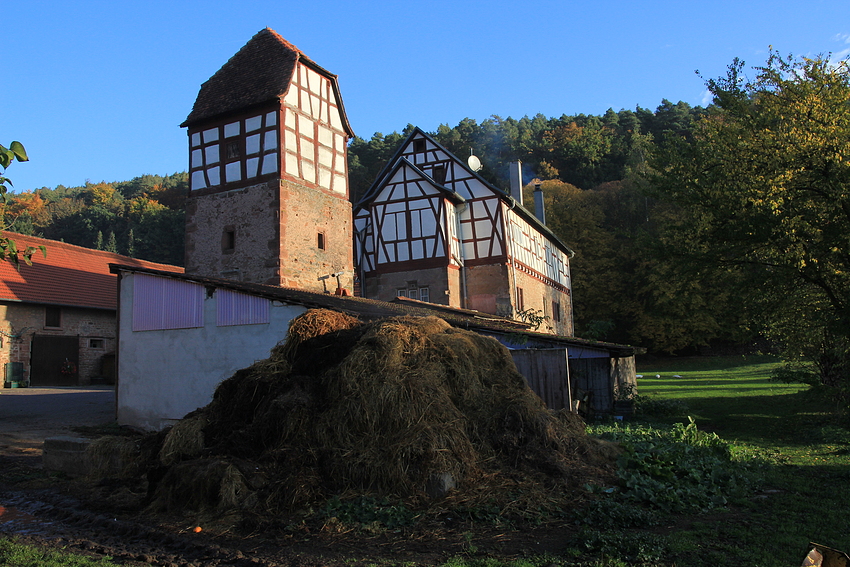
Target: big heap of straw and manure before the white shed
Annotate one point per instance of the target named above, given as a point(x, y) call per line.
point(387, 408)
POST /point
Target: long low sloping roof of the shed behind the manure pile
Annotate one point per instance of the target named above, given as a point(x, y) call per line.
point(367, 309)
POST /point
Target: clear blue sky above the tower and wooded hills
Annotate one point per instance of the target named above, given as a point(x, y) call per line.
point(96, 90)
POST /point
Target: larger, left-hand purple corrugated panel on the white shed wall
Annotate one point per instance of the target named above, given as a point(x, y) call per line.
point(163, 303)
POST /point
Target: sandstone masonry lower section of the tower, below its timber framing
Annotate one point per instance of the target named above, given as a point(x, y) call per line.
point(276, 233)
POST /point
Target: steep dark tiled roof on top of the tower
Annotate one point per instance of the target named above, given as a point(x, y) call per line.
point(258, 73)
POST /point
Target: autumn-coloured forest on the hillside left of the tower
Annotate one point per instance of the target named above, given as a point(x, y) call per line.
point(142, 218)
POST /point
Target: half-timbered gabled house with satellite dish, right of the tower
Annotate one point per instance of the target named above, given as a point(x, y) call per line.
point(432, 229)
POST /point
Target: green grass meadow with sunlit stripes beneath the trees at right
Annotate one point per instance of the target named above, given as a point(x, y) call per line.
point(805, 492)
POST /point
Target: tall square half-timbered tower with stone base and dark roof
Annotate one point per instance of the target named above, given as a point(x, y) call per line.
point(268, 200)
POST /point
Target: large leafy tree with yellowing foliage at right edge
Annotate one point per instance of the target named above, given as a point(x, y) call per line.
point(763, 189)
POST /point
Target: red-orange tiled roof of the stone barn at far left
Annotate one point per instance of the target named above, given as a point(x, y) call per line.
point(69, 276)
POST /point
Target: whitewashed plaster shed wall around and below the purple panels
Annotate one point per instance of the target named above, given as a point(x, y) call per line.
point(163, 375)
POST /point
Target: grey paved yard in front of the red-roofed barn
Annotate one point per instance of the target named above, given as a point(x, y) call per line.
point(29, 415)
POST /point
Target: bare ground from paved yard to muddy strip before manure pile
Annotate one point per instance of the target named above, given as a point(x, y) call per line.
point(108, 518)
